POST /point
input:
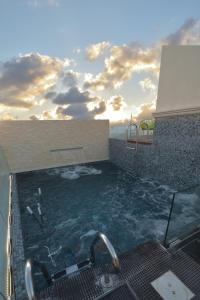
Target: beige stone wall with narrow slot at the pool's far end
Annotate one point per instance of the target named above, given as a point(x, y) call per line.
point(32, 145)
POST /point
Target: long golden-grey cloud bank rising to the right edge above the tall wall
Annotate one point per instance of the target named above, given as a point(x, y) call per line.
point(125, 60)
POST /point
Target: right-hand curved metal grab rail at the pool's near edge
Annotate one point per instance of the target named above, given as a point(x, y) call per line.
point(110, 248)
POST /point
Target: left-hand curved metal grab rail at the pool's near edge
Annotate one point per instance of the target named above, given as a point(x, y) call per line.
point(29, 277)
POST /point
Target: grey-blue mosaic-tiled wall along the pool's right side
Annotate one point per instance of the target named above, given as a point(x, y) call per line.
point(172, 159)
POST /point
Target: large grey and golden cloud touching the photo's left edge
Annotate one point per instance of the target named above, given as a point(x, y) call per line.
point(26, 78)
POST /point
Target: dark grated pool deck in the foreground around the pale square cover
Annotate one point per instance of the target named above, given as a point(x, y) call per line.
point(138, 269)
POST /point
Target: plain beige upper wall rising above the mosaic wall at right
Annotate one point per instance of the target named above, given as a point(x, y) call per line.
point(179, 83)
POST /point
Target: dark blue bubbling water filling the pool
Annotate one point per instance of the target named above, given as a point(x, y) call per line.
point(79, 201)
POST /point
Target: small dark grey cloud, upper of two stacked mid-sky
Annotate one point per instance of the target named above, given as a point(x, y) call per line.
point(72, 96)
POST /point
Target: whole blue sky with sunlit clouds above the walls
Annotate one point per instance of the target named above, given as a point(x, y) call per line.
point(63, 59)
